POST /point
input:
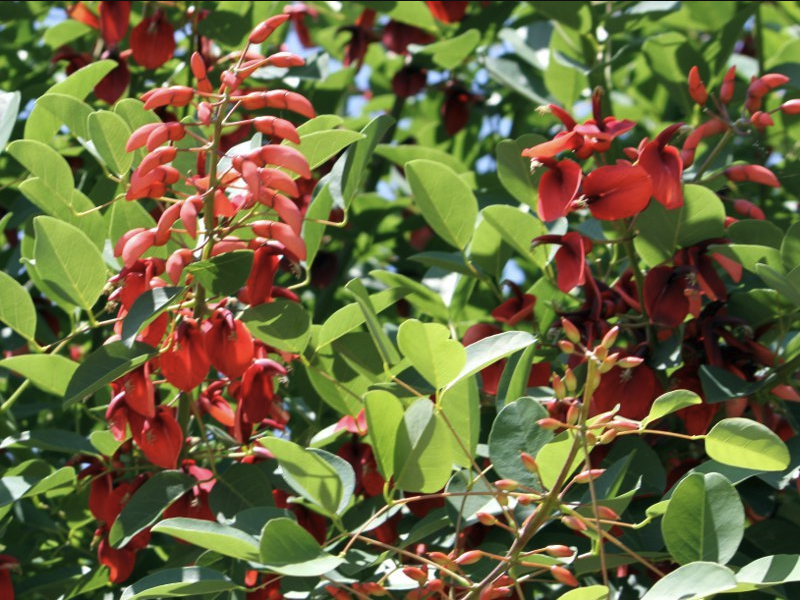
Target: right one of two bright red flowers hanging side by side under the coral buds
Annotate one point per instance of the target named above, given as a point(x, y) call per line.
point(229, 344)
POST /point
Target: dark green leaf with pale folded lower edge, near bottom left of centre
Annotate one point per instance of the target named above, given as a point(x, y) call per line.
point(289, 549)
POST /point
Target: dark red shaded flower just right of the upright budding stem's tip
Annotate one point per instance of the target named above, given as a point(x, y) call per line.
point(633, 389)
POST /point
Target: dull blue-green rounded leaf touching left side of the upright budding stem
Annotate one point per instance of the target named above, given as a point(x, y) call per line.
point(515, 431)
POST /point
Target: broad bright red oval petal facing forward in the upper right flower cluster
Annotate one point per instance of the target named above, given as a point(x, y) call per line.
point(617, 191)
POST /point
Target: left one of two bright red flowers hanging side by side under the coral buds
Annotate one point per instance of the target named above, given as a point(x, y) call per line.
point(185, 363)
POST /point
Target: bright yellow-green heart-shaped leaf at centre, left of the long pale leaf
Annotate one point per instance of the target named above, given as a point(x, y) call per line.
point(431, 351)
